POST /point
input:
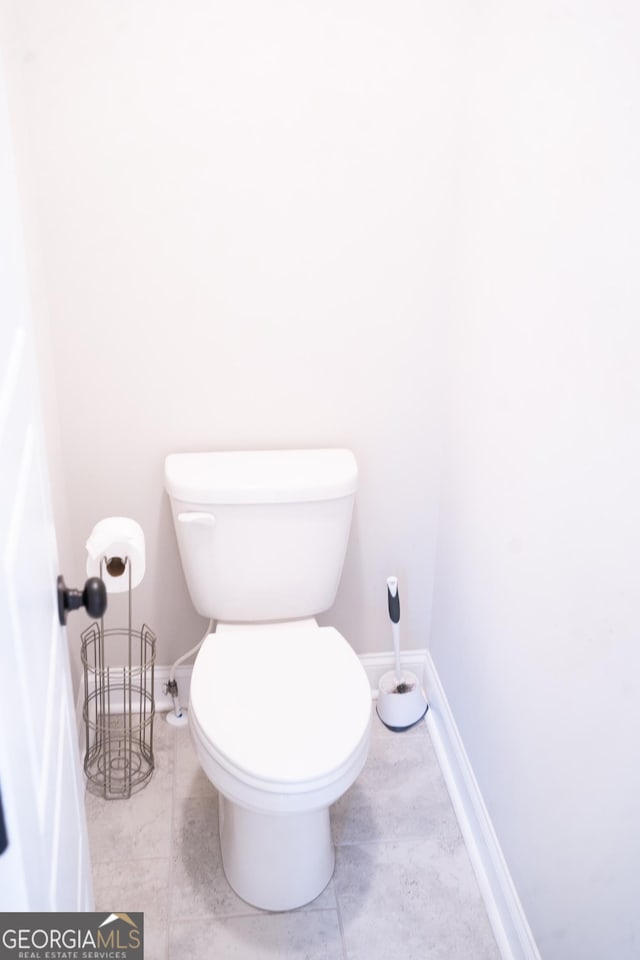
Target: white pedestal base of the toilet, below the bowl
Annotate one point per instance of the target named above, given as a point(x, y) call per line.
point(275, 861)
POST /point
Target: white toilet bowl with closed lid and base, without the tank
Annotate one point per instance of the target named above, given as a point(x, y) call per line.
point(280, 716)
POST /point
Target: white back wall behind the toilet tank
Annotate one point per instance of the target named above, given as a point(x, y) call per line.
point(239, 207)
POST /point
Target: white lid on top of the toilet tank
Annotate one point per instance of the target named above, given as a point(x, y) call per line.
point(261, 476)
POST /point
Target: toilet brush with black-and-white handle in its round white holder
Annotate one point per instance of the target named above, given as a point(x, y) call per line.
point(401, 702)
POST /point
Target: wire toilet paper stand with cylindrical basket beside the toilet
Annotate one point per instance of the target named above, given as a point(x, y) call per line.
point(118, 707)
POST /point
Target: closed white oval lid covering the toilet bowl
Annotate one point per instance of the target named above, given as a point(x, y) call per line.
point(283, 705)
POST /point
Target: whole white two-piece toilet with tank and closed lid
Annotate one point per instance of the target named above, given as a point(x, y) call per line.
point(280, 707)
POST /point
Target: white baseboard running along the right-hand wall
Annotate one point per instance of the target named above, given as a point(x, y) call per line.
point(507, 917)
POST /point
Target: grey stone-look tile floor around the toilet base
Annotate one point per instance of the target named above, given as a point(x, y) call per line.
point(403, 886)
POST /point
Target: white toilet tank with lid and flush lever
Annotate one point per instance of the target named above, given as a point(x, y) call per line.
point(262, 534)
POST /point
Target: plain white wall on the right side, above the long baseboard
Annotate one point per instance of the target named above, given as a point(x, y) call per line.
point(535, 629)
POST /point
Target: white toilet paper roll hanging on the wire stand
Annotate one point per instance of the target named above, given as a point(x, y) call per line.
point(116, 542)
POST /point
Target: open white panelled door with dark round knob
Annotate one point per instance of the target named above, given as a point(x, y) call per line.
point(45, 865)
